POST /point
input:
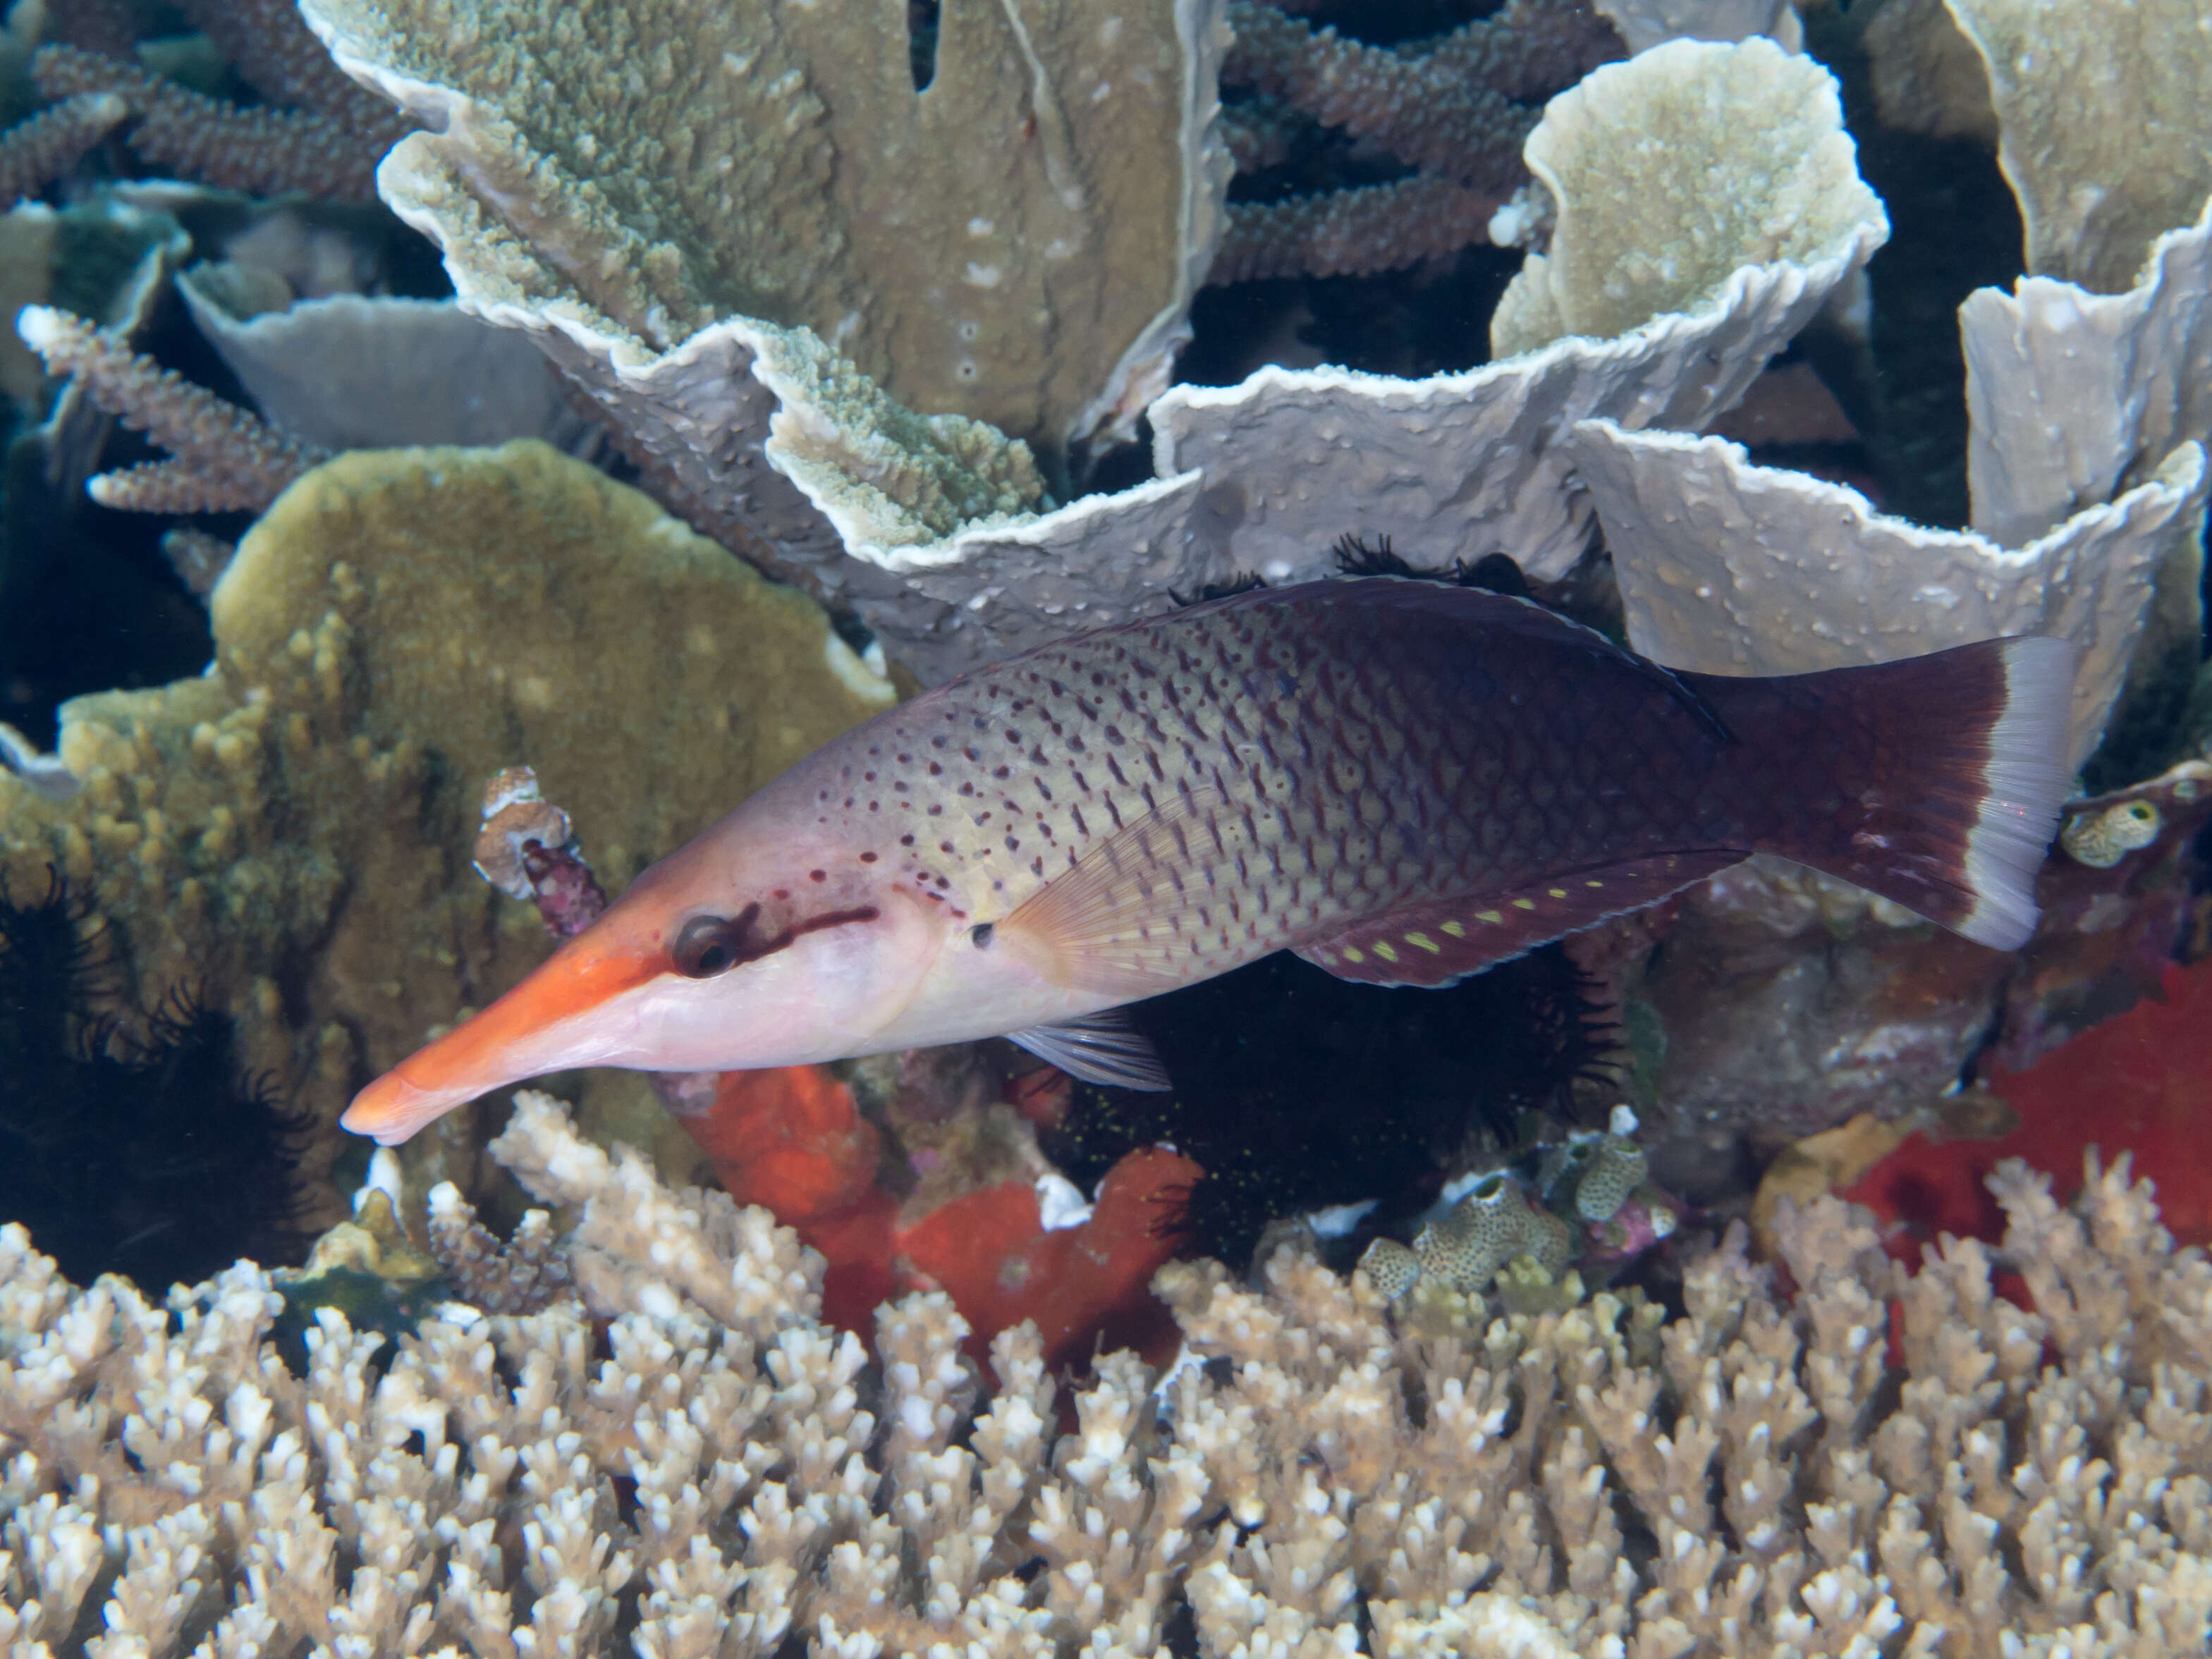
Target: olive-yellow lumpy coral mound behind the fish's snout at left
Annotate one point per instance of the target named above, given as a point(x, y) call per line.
point(291, 833)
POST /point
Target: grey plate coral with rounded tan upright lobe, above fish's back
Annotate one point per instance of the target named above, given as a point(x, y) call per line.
point(1649, 273)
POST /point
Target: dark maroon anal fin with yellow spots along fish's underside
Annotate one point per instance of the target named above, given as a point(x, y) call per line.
point(1448, 939)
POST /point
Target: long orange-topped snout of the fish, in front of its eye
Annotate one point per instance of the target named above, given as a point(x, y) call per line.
point(556, 1019)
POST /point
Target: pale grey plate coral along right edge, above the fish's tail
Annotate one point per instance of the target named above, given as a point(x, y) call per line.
point(2087, 424)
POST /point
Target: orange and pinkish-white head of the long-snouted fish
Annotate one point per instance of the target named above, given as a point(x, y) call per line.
point(718, 959)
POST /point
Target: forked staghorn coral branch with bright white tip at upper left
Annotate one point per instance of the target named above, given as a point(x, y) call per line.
point(225, 459)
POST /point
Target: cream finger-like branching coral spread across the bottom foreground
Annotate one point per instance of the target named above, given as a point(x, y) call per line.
point(700, 1468)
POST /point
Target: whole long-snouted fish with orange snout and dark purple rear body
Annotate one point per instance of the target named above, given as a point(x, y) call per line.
point(1401, 782)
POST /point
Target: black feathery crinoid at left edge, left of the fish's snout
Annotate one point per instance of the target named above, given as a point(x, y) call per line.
point(129, 1140)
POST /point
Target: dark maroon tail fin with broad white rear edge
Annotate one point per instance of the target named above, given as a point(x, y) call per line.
point(1932, 782)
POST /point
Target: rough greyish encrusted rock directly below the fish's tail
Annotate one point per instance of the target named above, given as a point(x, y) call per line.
point(1771, 1003)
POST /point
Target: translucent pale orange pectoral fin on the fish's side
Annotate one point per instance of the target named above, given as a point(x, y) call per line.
point(1134, 915)
